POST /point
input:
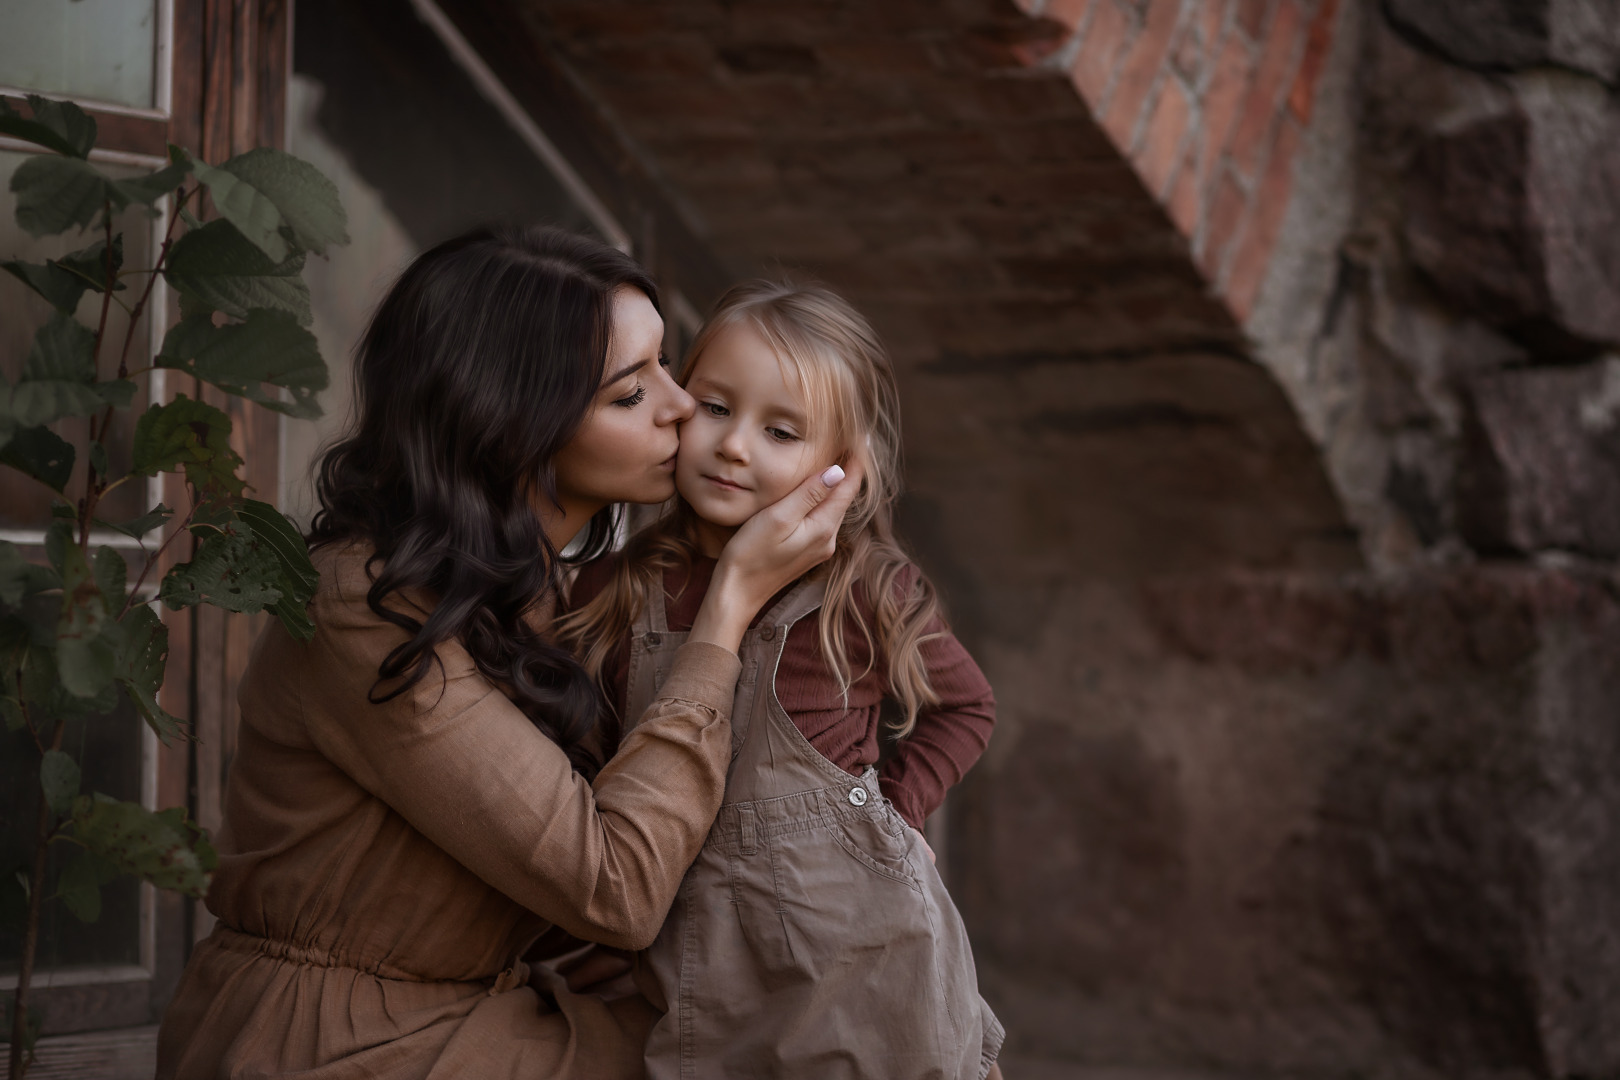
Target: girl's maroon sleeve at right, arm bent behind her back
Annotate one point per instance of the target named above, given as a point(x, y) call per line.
point(949, 738)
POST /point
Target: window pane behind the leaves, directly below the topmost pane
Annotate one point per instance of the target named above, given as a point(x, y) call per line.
point(23, 503)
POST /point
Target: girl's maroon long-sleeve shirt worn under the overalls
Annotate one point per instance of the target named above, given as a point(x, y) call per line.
point(947, 741)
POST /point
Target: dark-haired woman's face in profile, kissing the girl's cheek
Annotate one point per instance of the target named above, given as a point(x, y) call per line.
point(626, 448)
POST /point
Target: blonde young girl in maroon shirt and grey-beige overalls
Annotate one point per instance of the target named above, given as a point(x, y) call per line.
point(812, 938)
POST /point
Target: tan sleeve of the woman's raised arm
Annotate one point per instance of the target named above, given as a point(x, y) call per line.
point(467, 770)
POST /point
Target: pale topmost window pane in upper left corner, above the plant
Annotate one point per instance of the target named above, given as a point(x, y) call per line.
point(92, 49)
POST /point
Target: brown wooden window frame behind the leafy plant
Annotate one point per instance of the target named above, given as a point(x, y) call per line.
point(223, 91)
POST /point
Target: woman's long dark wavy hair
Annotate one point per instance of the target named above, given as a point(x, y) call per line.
point(477, 368)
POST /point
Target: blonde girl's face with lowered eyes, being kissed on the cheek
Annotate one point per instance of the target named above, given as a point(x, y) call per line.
point(749, 443)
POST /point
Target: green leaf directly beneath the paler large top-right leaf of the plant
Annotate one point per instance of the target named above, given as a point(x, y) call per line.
point(221, 268)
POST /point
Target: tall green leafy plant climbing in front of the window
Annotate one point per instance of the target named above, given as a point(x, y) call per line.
point(75, 634)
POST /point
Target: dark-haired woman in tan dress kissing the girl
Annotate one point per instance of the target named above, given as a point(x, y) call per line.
point(416, 794)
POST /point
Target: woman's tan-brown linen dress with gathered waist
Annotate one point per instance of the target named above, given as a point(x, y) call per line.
point(383, 867)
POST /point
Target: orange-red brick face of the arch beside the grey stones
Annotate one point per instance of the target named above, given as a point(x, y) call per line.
point(1209, 100)
